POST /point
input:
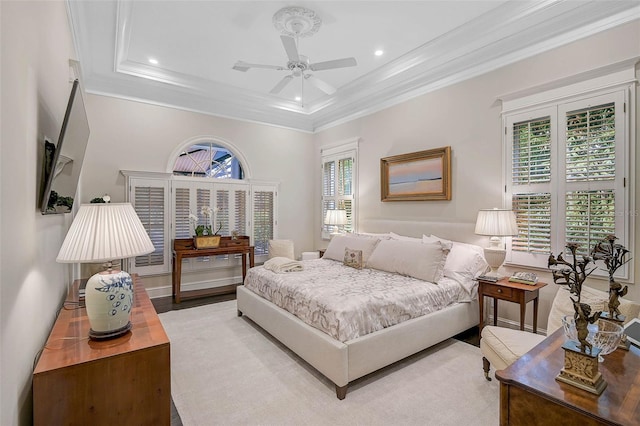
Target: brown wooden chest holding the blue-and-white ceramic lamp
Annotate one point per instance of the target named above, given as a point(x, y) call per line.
point(126, 380)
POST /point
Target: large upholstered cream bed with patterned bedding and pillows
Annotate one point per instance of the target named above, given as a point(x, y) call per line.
point(346, 353)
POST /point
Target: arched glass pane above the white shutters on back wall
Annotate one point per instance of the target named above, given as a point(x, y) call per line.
point(207, 159)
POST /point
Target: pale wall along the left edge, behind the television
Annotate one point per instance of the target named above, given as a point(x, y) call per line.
point(36, 48)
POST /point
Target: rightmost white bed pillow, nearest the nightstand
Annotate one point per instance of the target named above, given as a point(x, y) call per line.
point(464, 263)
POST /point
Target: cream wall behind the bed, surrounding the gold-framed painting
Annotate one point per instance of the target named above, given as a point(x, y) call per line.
point(466, 117)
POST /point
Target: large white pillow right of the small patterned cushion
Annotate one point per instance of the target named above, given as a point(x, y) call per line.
point(418, 260)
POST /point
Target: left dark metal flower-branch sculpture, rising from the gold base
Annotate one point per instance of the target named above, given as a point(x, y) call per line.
point(573, 274)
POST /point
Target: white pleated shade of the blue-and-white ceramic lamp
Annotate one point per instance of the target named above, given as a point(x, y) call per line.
point(102, 232)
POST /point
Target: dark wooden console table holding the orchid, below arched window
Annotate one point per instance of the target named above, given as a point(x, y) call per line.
point(183, 248)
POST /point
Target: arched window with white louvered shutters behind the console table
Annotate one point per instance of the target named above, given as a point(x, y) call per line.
point(205, 174)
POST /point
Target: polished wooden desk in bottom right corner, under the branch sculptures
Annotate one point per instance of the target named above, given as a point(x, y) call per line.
point(529, 393)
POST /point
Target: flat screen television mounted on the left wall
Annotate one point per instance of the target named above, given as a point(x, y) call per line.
point(63, 161)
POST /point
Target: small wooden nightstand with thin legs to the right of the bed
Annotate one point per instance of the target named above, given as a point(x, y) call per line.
point(511, 292)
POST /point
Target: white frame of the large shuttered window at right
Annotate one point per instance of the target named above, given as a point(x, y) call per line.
point(618, 87)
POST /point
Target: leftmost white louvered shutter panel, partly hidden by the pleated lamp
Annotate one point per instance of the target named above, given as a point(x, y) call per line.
point(150, 200)
